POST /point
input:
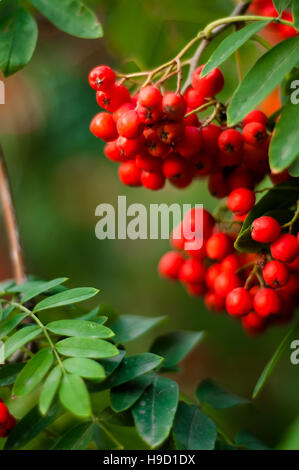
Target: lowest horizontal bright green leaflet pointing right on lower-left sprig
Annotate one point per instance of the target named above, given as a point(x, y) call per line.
point(86, 347)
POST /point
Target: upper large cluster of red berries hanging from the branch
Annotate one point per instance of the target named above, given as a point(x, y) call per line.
point(154, 137)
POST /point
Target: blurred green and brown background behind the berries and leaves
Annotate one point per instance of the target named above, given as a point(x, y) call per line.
point(59, 175)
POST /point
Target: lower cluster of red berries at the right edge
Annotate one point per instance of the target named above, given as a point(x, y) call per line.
point(258, 289)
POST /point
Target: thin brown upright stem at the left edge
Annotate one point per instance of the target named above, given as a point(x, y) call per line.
point(11, 224)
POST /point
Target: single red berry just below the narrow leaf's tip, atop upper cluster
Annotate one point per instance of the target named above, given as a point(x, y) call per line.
point(209, 85)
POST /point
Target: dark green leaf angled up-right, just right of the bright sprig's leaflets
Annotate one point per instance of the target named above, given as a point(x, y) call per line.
point(134, 366)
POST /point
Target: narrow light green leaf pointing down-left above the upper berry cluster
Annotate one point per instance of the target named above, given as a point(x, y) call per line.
point(231, 43)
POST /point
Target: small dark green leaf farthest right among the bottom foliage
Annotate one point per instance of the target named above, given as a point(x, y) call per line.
point(217, 397)
